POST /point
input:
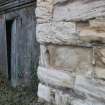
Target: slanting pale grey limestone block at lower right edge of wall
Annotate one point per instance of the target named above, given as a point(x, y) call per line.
point(92, 89)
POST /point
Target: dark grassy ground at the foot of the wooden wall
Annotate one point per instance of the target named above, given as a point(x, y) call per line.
point(9, 96)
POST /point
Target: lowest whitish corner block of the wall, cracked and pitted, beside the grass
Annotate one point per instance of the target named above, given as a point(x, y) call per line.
point(52, 95)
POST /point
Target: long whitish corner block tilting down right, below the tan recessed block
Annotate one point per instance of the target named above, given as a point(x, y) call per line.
point(55, 77)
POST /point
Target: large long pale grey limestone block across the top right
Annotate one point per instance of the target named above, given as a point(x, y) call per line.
point(77, 10)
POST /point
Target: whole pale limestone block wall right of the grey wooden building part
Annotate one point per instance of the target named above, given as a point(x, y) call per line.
point(71, 34)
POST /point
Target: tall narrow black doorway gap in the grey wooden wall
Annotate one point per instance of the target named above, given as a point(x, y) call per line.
point(8, 39)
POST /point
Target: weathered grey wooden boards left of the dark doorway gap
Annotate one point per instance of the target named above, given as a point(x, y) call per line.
point(3, 50)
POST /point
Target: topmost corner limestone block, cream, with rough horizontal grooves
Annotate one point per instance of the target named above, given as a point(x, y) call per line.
point(44, 11)
